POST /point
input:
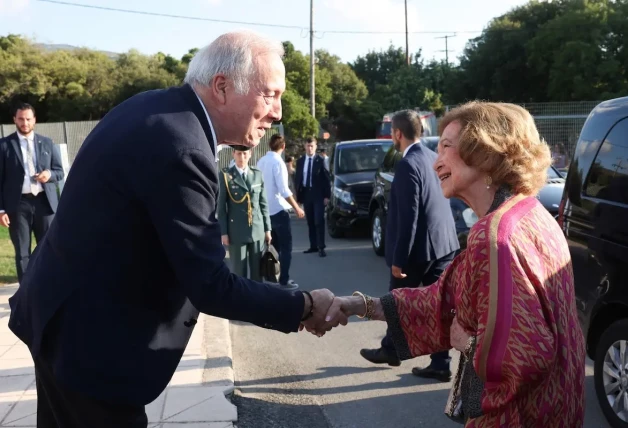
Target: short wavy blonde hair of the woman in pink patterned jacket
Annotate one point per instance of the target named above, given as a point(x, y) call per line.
point(502, 141)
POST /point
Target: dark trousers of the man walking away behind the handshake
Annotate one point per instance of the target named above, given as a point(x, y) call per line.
point(421, 274)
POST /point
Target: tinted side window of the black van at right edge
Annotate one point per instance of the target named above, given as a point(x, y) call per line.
point(608, 179)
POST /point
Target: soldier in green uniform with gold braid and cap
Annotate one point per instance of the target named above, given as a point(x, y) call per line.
point(243, 214)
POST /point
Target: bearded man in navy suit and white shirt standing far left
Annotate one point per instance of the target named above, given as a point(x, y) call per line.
point(30, 168)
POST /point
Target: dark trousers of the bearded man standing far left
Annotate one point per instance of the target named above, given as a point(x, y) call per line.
point(34, 215)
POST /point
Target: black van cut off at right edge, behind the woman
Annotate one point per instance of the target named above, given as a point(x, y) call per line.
point(593, 207)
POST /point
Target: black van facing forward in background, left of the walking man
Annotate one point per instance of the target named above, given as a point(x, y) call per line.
point(352, 168)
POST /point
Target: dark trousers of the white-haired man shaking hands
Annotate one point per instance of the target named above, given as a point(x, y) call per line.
point(60, 407)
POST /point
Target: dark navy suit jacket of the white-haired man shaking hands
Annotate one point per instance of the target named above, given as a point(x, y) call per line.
point(134, 253)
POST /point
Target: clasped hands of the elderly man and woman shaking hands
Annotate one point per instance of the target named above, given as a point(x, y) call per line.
point(324, 311)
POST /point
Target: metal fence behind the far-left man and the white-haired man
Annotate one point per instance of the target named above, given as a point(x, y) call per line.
point(74, 133)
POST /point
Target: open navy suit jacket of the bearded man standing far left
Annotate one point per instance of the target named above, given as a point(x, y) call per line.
point(48, 157)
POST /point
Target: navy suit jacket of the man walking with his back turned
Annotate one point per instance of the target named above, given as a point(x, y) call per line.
point(419, 226)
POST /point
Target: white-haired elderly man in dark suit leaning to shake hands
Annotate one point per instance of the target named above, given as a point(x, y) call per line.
point(111, 297)
